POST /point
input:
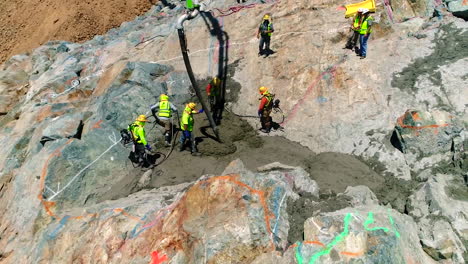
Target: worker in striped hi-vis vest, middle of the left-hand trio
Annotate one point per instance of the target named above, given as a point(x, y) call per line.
point(164, 117)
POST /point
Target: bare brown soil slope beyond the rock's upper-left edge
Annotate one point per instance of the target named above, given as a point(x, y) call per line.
point(27, 24)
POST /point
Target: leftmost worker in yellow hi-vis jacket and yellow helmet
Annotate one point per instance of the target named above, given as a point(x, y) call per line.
point(137, 130)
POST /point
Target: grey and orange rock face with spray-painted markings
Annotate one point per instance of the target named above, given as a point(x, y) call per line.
point(63, 105)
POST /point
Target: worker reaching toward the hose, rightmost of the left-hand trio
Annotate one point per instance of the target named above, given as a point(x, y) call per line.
point(186, 125)
